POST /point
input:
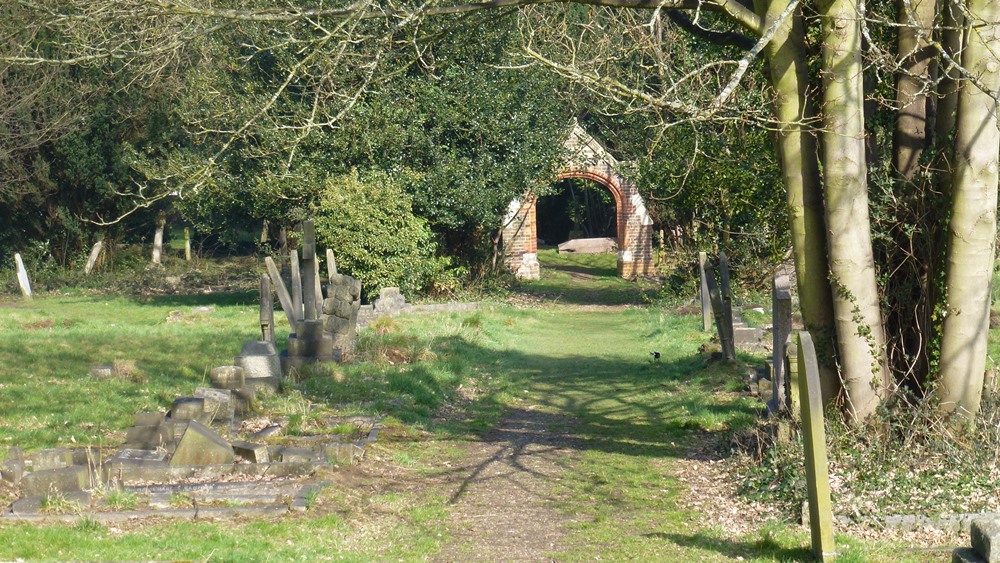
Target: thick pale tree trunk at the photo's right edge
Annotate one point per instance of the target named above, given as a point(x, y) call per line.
point(972, 232)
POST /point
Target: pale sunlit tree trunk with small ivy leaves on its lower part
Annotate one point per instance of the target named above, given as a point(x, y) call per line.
point(855, 301)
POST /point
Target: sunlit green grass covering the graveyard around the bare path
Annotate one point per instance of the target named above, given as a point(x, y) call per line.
point(635, 420)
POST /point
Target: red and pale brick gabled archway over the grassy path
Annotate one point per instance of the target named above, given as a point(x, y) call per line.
point(589, 160)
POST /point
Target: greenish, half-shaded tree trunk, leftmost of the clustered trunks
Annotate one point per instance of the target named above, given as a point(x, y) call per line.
point(798, 155)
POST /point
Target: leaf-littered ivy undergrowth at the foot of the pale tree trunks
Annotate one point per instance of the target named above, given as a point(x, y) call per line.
point(907, 460)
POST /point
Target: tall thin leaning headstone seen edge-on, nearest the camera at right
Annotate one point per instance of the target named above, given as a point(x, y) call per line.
point(814, 444)
